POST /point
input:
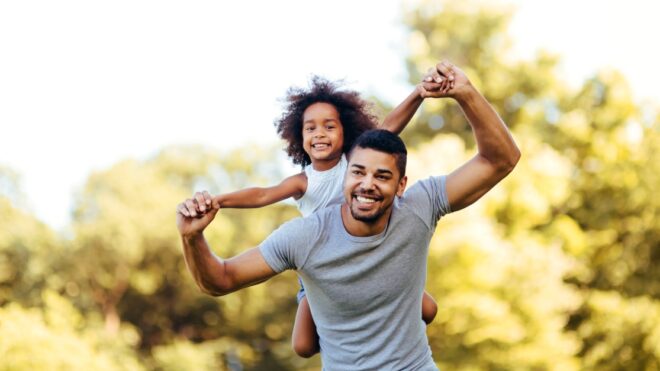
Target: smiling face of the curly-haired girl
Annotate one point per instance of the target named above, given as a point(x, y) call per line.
point(323, 135)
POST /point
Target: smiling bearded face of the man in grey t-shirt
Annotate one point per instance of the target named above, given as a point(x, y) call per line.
point(371, 183)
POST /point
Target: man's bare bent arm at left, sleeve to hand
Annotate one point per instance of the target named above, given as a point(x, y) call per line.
point(213, 275)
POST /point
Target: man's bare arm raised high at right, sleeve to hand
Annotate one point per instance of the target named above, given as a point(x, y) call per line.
point(498, 153)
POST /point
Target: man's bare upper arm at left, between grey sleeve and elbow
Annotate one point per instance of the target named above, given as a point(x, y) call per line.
point(247, 269)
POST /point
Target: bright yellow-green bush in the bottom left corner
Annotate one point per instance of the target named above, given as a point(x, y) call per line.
point(56, 336)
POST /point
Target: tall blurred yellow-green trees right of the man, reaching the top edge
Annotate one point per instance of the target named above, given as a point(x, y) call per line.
point(583, 192)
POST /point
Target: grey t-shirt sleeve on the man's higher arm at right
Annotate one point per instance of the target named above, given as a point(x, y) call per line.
point(428, 199)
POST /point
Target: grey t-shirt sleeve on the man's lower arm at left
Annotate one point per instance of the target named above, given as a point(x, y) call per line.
point(286, 247)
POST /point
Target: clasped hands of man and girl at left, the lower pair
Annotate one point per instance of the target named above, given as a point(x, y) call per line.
point(195, 214)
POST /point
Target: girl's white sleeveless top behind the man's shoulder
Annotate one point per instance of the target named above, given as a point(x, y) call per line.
point(324, 188)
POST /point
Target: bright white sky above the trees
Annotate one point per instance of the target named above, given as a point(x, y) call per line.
point(84, 84)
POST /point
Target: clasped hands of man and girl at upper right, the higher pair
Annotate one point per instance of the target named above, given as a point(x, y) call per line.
point(444, 80)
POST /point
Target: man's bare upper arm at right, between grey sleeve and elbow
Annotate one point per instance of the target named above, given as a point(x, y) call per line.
point(470, 182)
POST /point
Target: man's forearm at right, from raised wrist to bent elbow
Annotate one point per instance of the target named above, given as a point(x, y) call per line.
point(494, 141)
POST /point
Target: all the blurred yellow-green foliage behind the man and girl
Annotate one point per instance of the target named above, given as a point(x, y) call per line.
point(555, 269)
